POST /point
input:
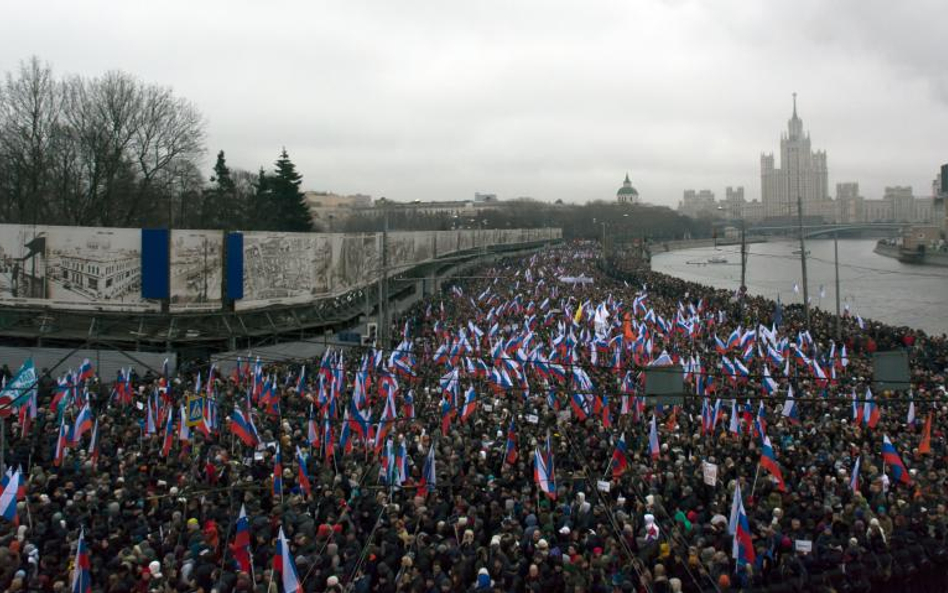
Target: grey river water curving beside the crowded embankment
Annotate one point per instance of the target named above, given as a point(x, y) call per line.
point(874, 286)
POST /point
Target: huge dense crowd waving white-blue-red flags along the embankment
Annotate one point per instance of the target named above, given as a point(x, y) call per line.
point(504, 442)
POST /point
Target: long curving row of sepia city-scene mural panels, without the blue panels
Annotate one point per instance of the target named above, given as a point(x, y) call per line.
point(85, 268)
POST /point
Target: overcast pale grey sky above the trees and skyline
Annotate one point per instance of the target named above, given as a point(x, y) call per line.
point(438, 99)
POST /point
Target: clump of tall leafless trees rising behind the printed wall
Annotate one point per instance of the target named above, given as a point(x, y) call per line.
point(93, 151)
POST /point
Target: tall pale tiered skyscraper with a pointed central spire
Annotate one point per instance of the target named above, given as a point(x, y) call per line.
point(802, 173)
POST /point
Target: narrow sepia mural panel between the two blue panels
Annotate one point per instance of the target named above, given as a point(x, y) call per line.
point(196, 269)
